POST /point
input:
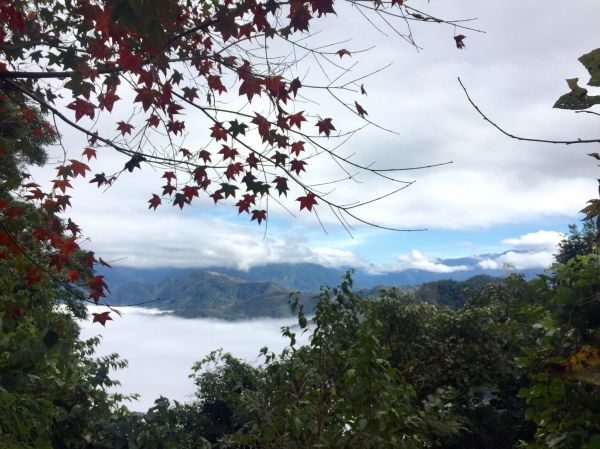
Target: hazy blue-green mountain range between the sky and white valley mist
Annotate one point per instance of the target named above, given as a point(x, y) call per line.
point(265, 290)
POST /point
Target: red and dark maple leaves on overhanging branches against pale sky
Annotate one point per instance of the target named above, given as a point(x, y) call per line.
point(106, 52)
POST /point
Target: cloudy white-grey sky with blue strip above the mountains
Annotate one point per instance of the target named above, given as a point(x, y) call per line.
point(498, 195)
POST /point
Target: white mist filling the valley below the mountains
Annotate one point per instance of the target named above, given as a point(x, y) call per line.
point(161, 348)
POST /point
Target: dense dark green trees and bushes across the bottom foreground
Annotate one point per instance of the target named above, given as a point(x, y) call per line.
point(516, 366)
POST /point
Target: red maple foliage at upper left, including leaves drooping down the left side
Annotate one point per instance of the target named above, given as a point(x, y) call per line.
point(170, 58)
